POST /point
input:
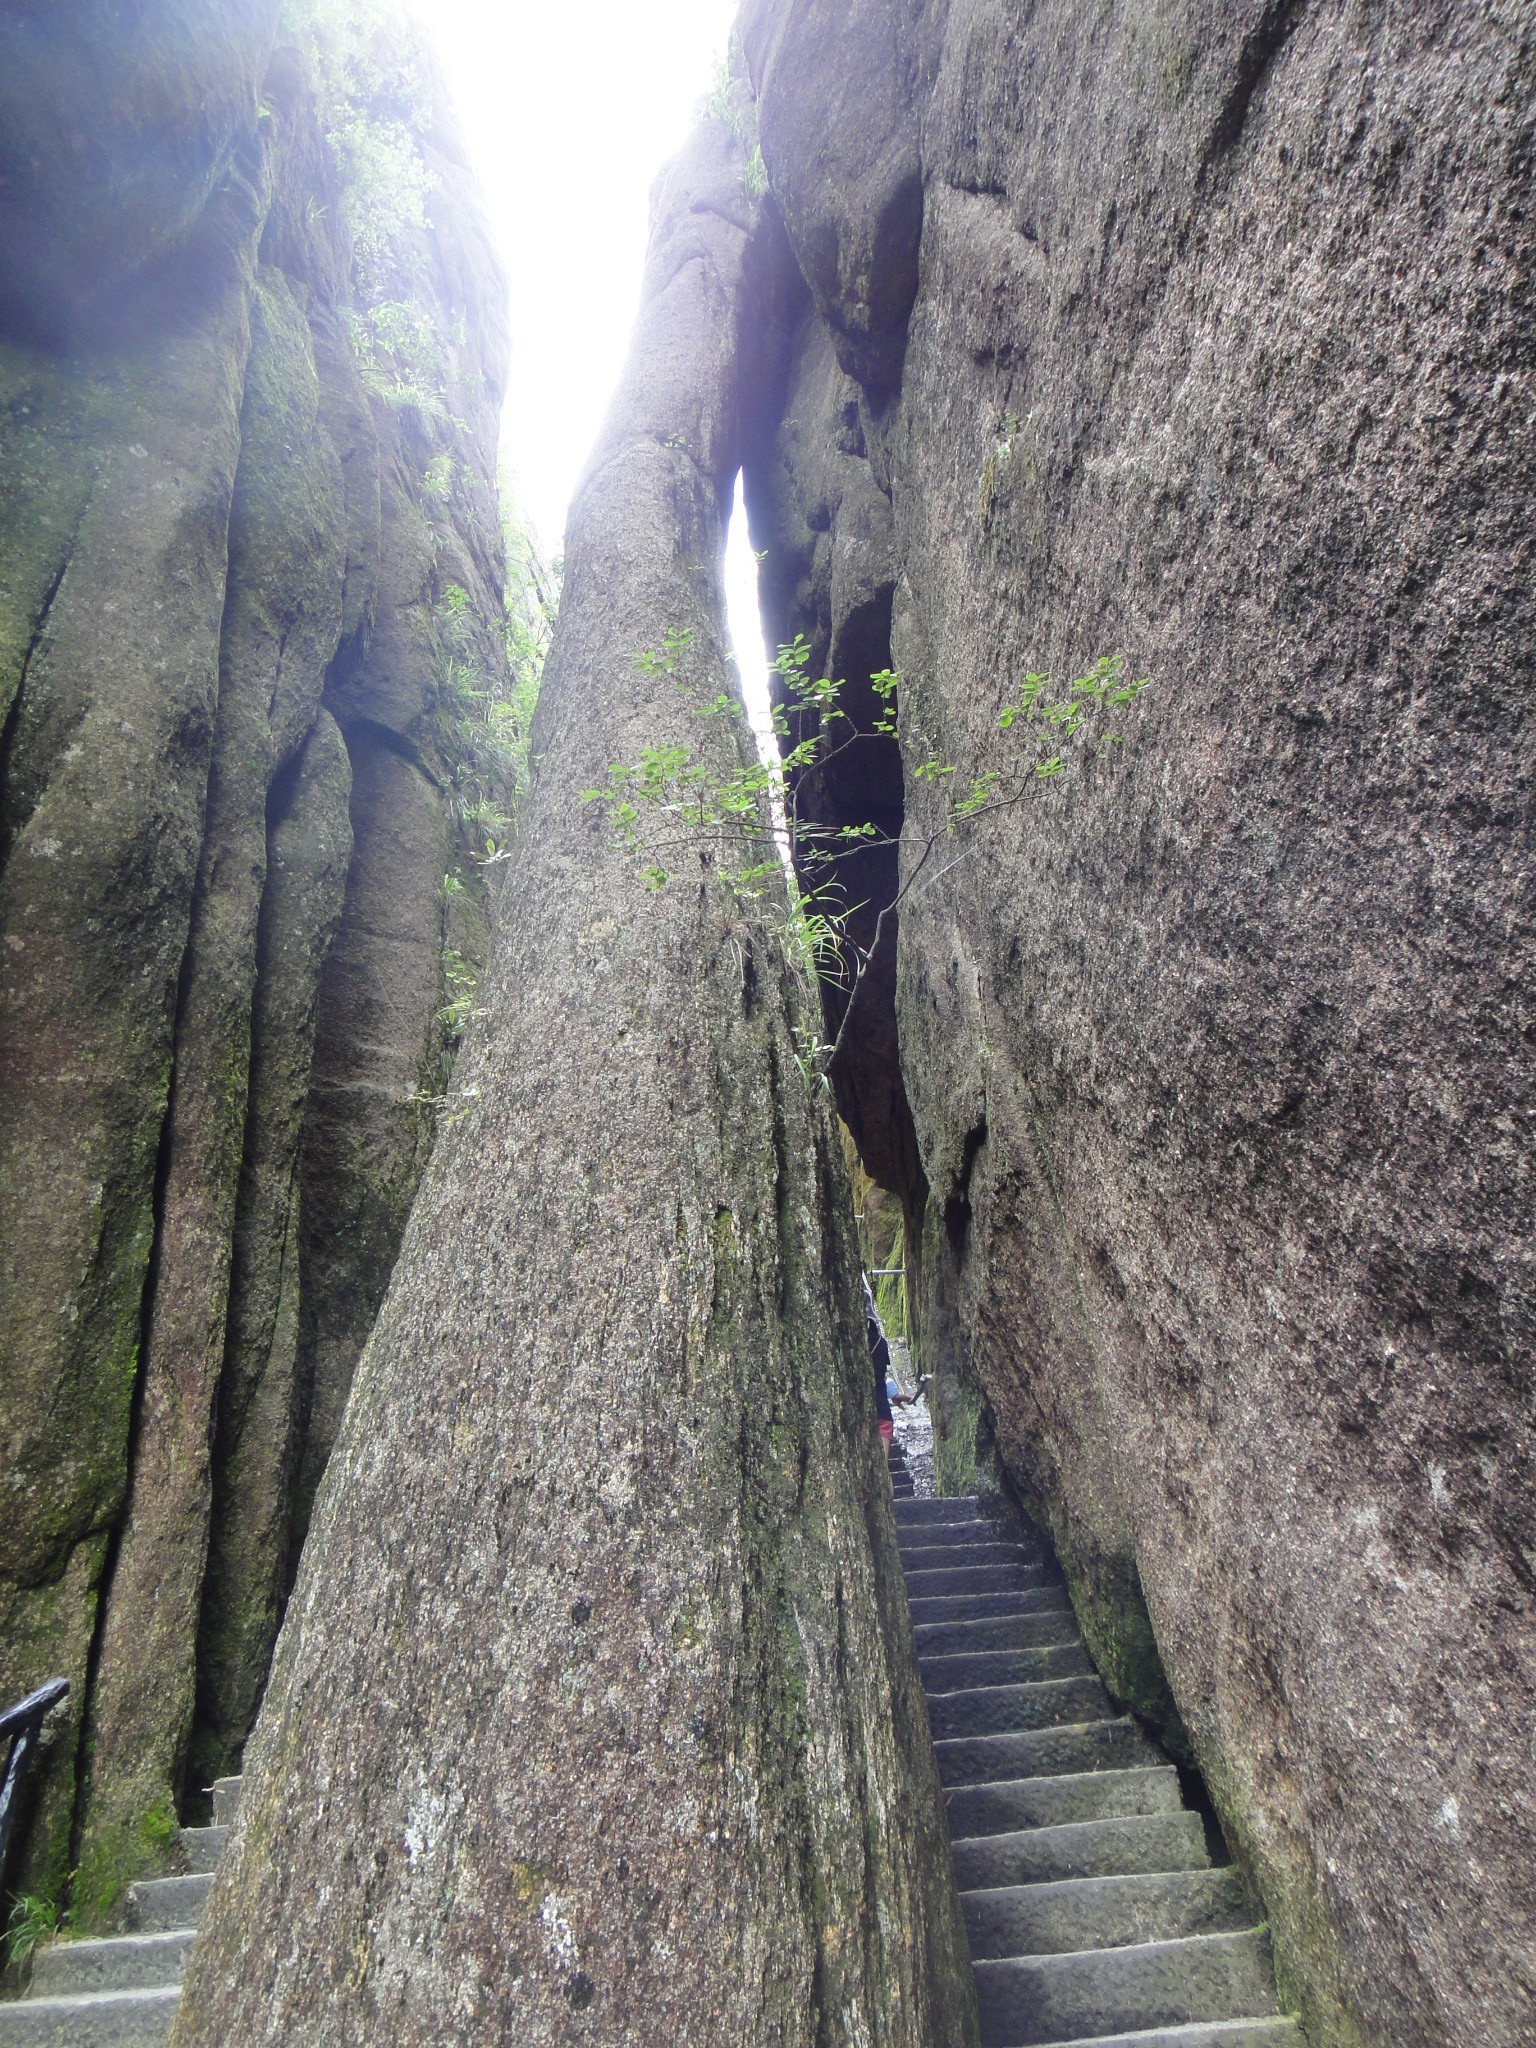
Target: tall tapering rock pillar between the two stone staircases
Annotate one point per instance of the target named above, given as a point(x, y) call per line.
point(593, 1717)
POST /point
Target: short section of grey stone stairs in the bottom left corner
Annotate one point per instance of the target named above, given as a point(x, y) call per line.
point(122, 1992)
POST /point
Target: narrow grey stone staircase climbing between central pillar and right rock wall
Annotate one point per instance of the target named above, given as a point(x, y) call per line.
point(1091, 1902)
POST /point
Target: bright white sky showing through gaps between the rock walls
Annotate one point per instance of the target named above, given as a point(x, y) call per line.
point(570, 110)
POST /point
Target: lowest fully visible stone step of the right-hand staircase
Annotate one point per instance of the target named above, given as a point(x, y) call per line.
point(1033, 2000)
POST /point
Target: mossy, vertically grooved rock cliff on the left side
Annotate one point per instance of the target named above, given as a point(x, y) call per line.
point(247, 462)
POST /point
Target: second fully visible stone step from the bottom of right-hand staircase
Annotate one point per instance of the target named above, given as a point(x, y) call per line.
point(1115, 1912)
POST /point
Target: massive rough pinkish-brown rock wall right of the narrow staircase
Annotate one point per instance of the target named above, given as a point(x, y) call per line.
point(1220, 353)
